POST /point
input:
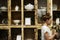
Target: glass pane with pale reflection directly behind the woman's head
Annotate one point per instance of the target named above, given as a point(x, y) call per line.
point(42, 5)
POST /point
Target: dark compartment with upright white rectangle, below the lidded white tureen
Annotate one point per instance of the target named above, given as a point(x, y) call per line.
point(31, 15)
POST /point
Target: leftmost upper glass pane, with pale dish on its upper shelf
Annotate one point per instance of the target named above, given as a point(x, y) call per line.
point(3, 12)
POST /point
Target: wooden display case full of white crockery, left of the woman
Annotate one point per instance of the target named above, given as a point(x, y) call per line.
point(21, 18)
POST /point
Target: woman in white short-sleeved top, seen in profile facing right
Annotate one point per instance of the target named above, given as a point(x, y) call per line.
point(45, 30)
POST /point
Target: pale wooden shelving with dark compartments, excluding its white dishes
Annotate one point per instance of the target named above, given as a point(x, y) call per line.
point(25, 31)
